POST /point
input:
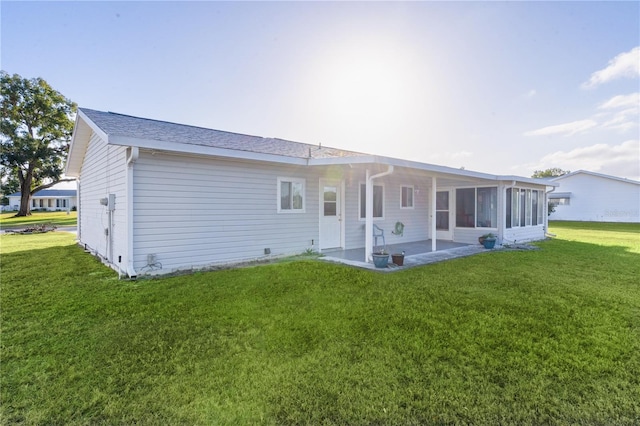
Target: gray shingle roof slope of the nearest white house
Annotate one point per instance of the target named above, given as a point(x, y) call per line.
point(143, 128)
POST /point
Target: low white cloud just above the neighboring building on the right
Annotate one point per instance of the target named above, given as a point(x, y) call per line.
point(616, 160)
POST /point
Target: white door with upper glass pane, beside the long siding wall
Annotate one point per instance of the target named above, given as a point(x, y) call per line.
point(330, 214)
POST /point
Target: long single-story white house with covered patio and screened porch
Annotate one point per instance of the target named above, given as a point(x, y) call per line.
point(158, 197)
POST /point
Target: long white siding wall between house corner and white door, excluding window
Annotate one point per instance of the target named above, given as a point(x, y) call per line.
point(220, 211)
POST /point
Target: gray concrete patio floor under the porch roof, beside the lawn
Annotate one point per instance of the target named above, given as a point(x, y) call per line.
point(416, 253)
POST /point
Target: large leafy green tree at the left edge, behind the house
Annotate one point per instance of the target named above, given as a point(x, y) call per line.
point(35, 132)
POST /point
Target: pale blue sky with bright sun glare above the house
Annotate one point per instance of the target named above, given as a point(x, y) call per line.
point(498, 87)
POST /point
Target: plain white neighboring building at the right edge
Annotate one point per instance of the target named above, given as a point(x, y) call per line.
point(589, 196)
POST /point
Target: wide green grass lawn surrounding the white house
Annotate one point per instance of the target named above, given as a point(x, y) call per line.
point(550, 336)
